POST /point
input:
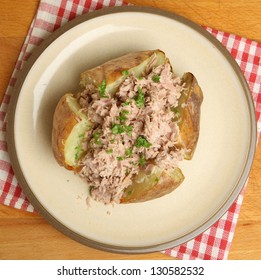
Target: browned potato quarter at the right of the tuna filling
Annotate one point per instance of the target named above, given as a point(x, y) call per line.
point(190, 115)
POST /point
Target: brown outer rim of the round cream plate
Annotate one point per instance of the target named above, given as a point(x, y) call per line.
point(26, 186)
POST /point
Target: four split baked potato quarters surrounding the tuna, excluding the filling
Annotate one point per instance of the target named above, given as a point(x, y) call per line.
point(146, 186)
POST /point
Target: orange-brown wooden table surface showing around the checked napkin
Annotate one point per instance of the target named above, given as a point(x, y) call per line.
point(28, 236)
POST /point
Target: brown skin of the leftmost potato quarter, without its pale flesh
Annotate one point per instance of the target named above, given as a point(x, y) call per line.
point(63, 122)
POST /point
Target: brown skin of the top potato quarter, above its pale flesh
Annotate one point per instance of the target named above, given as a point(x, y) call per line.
point(112, 70)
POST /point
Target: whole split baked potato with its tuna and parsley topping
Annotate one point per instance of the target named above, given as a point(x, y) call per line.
point(107, 136)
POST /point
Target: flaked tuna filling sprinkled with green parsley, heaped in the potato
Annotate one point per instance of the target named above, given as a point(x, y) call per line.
point(131, 130)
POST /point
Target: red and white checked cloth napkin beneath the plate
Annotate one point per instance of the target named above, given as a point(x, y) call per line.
point(213, 243)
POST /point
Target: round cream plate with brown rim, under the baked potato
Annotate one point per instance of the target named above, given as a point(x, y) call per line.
point(214, 177)
